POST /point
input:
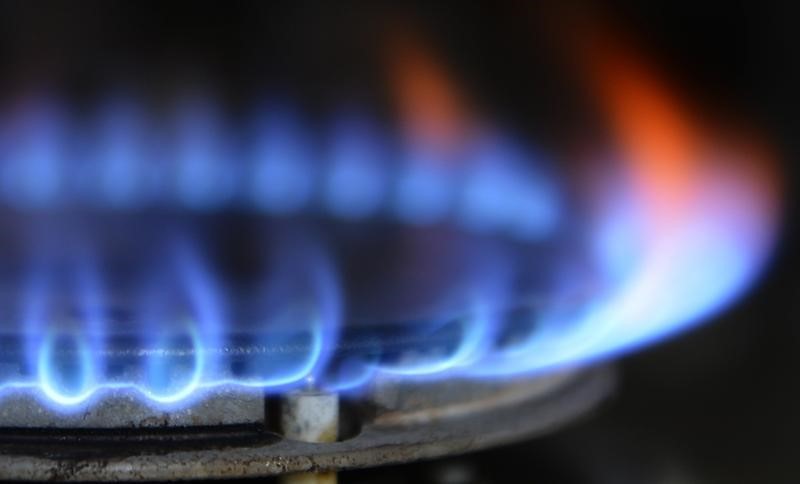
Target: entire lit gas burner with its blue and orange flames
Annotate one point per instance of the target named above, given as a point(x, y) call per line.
point(211, 278)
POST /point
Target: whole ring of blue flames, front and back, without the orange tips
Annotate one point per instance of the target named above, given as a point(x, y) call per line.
point(513, 311)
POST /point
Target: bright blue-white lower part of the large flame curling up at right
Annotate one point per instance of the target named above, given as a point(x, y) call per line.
point(674, 283)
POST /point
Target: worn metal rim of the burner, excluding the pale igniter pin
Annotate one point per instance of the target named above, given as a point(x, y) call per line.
point(397, 422)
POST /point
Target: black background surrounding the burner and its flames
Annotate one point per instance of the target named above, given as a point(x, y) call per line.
point(716, 405)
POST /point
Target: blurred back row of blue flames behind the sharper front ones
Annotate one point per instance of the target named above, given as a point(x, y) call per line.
point(271, 161)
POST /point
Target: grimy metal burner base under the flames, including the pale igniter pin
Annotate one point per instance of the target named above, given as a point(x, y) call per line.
point(394, 422)
